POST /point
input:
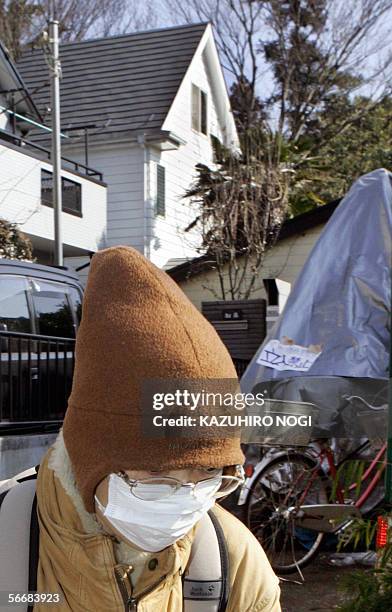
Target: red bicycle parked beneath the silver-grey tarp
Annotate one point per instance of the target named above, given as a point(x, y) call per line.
point(299, 495)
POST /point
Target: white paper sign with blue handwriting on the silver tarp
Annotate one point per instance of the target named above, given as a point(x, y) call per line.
point(287, 356)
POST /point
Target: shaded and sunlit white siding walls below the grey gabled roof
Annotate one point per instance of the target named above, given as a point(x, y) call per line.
point(130, 173)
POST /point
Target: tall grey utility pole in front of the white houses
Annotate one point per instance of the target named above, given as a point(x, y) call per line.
point(56, 145)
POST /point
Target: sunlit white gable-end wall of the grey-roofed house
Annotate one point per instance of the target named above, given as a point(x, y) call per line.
point(168, 240)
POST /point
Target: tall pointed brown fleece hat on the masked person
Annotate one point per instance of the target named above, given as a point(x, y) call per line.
point(137, 325)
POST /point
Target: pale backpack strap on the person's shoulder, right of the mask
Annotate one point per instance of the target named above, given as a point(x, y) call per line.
point(206, 580)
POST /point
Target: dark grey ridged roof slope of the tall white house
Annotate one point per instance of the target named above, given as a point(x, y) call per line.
point(121, 83)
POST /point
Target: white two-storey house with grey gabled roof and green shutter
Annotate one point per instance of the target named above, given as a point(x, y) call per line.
point(149, 103)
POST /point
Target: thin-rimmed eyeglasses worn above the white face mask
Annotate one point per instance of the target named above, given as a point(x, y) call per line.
point(154, 488)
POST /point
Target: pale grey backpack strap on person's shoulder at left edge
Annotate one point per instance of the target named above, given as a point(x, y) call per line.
point(19, 535)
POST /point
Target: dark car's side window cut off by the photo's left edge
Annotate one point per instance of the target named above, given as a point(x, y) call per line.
point(14, 311)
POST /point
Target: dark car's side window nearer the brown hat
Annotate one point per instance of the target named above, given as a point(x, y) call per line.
point(52, 309)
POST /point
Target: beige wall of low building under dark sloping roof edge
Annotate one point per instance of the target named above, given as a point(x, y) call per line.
point(284, 261)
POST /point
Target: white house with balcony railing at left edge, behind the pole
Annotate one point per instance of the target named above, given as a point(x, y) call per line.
point(26, 178)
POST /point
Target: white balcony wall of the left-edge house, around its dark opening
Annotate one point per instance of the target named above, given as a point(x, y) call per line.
point(20, 202)
